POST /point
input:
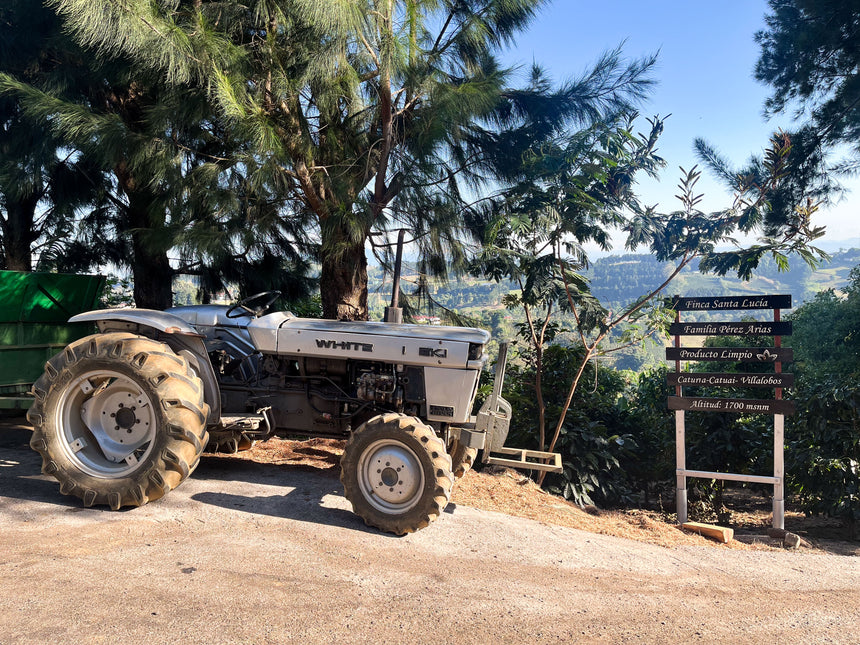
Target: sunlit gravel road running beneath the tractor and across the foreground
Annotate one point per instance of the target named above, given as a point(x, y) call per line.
point(255, 553)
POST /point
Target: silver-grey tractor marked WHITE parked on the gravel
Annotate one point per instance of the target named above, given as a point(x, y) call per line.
point(121, 417)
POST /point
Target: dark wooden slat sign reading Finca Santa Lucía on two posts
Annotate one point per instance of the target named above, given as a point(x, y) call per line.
point(775, 380)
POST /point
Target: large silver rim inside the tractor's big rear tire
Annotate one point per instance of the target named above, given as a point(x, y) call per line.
point(107, 423)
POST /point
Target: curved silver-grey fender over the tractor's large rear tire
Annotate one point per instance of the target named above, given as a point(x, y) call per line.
point(167, 328)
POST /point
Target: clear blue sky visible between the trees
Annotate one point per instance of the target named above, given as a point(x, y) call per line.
point(704, 80)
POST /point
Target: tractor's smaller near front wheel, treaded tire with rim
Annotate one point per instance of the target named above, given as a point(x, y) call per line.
point(396, 473)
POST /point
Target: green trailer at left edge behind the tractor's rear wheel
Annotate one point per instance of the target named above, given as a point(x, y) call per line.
point(34, 310)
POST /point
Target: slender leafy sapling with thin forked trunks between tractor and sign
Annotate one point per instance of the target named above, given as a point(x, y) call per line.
point(570, 195)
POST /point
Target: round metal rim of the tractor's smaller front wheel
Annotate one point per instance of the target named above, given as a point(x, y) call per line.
point(390, 476)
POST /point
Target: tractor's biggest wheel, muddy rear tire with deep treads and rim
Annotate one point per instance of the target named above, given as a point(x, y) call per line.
point(118, 419)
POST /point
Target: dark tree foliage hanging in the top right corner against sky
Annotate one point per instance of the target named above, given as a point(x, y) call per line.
point(810, 55)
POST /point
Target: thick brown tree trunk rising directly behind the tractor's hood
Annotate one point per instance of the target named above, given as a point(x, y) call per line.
point(344, 284)
